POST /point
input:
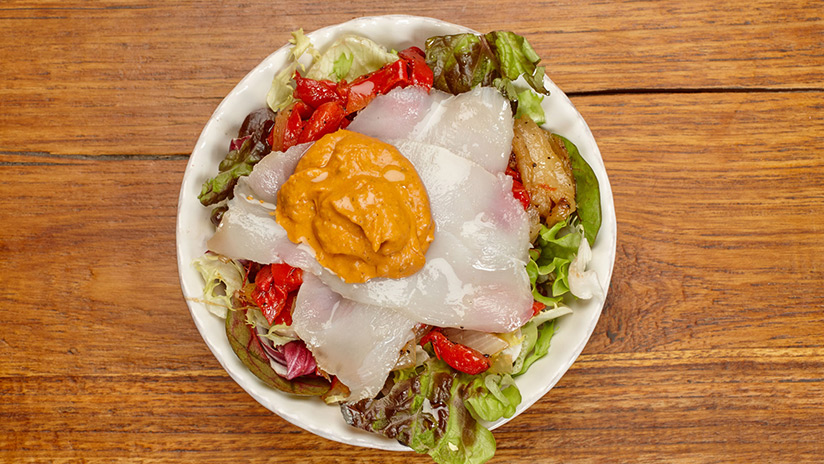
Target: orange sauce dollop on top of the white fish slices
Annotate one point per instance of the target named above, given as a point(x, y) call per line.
point(359, 203)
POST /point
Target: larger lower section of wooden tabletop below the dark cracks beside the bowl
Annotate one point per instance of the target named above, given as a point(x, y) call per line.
point(709, 347)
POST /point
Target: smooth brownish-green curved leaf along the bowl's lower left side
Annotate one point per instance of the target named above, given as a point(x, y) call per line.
point(246, 346)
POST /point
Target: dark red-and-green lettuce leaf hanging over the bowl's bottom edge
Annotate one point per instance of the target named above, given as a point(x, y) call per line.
point(427, 413)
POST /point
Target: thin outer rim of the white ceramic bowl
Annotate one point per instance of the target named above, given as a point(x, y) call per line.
point(607, 240)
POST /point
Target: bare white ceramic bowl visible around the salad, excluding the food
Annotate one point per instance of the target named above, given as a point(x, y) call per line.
point(194, 228)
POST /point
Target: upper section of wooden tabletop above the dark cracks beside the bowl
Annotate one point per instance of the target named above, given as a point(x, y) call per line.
point(143, 77)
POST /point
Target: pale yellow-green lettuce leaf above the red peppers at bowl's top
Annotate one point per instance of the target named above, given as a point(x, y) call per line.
point(350, 57)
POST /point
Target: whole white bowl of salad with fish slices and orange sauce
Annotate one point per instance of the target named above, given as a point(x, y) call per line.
point(398, 233)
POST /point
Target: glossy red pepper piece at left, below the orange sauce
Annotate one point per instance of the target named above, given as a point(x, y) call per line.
point(273, 284)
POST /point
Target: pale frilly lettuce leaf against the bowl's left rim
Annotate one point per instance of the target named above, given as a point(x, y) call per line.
point(222, 277)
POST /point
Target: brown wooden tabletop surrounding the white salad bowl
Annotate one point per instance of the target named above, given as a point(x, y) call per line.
point(710, 118)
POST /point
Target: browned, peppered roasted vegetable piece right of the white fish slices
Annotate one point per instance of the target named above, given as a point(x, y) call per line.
point(545, 170)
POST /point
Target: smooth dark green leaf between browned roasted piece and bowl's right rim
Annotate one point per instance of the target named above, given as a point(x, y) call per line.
point(587, 191)
